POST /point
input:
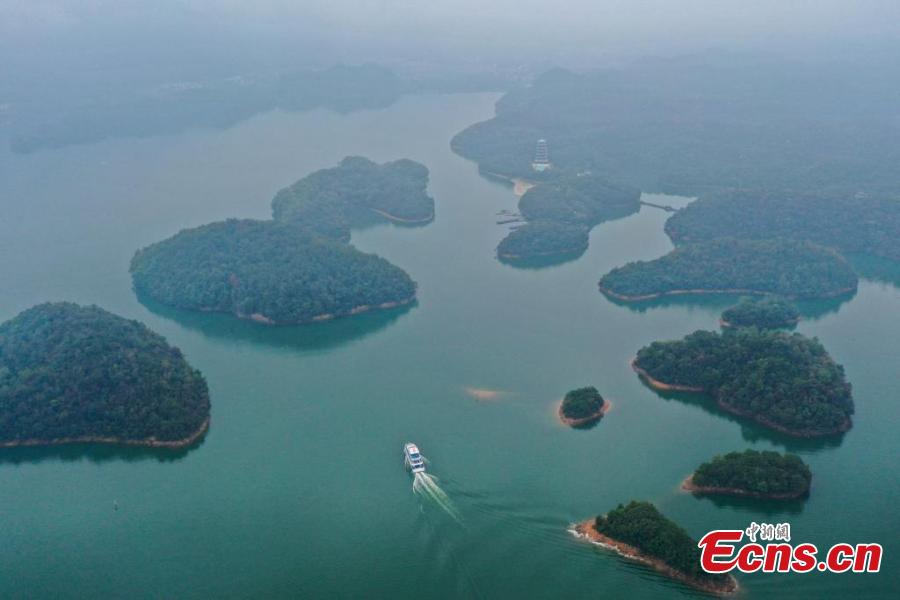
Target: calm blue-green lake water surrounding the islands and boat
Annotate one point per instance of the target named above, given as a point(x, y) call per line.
point(299, 489)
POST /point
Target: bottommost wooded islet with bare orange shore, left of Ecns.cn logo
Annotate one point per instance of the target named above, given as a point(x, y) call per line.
point(640, 532)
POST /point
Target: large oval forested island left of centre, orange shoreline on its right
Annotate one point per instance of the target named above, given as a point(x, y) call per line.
point(267, 271)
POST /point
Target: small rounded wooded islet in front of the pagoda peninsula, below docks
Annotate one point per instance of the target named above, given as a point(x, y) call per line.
point(543, 238)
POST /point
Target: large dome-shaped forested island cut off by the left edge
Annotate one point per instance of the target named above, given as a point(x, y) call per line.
point(71, 373)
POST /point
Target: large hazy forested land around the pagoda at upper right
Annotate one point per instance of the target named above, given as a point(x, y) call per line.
point(688, 125)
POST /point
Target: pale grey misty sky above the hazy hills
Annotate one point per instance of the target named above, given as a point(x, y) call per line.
point(42, 41)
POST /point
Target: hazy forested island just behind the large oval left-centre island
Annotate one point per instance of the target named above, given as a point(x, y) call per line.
point(354, 193)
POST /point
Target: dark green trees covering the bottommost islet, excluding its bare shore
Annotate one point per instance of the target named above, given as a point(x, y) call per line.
point(641, 525)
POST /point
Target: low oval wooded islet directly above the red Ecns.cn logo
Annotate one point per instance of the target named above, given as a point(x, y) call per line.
point(769, 475)
